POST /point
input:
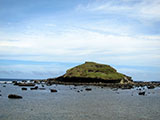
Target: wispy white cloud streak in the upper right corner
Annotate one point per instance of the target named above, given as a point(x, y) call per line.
point(144, 9)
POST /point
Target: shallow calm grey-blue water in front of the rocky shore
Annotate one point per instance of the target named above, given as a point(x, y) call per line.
point(68, 104)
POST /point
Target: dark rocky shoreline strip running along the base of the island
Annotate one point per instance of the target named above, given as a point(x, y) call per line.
point(49, 82)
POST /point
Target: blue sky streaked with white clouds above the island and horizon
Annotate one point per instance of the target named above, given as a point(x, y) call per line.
point(43, 38)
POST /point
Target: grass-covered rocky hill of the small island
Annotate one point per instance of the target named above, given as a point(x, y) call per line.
point(94, 72)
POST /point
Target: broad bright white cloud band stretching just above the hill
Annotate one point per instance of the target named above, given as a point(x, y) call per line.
point(80, 45)
